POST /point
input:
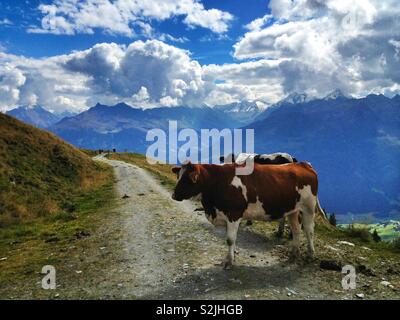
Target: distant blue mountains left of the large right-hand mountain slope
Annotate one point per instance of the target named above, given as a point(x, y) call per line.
point(124, 128)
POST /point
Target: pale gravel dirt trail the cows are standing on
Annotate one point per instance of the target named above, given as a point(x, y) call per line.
point(170, 251)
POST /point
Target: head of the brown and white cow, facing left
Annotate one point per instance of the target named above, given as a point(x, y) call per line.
point(189, 184)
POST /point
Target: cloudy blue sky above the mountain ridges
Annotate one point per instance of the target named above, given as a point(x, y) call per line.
point(67, 55)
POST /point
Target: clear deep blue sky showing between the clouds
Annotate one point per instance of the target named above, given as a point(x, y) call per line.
point(24, 14)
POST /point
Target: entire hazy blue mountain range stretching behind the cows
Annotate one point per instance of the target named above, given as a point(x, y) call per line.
point(354, 144)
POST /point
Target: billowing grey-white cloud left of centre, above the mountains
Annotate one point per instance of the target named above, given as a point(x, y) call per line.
point(167, 73)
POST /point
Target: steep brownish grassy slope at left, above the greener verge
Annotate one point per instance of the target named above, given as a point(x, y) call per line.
point(39, 173)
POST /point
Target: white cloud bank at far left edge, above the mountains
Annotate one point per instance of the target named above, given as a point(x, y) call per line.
point(27, 81)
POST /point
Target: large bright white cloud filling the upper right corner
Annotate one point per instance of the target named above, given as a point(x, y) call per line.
point(325, 44)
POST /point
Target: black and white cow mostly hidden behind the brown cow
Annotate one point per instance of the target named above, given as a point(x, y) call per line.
point(272, 158)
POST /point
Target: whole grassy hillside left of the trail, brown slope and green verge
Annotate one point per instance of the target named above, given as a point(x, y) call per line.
point(52, 197)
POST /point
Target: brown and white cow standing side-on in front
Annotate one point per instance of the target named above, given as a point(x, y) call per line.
point(269, 193)
